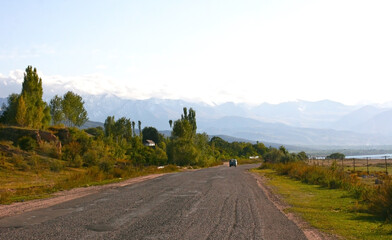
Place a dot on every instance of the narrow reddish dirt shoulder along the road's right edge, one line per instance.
(310, 232)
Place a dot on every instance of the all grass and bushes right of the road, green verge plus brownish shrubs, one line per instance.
(333, 197)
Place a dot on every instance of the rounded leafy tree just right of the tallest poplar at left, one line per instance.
(73, 108)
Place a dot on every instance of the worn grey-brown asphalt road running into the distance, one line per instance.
(213, 203)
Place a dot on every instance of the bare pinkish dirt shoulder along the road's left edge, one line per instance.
(63, 196)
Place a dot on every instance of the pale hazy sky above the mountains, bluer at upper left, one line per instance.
(213, 51)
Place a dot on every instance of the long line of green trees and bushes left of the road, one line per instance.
(120, 143)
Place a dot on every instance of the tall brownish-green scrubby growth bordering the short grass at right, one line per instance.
(377, 198)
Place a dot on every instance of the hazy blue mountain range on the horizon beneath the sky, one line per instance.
(301, 123)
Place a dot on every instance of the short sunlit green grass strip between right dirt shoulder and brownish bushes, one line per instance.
(331, 210)
